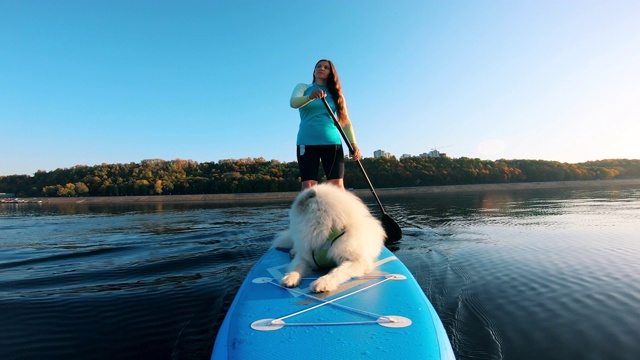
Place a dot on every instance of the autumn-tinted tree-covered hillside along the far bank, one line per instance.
(174, 177)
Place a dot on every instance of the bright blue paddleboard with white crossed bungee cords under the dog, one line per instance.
(383, 315)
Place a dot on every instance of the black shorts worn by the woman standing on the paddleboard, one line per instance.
(309, 157)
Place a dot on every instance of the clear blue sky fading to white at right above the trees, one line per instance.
(90, 82)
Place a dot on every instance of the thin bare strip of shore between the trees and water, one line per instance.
(289, 196)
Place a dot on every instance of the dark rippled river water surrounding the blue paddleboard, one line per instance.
(545, 274)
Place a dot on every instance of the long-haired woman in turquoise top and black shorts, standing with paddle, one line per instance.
(318, 138)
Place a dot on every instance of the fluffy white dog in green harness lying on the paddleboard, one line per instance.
(330, 227)
